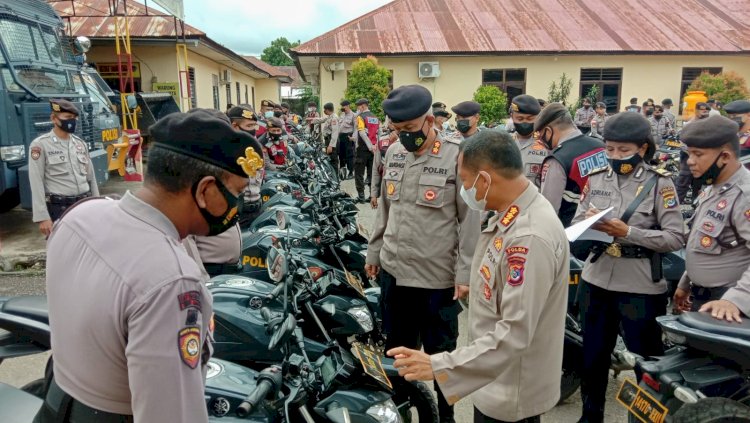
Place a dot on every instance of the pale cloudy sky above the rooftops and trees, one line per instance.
(249, 26)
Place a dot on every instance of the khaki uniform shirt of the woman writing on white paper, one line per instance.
(660, 207)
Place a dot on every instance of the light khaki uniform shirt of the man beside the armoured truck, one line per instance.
(60, 167)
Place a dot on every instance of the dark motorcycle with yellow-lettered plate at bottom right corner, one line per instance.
(704, 378)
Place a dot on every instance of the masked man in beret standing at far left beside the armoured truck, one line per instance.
(60, 169)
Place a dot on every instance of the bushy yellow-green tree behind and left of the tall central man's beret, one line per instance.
(367, 79)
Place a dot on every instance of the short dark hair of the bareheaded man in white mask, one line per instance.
(496, 149)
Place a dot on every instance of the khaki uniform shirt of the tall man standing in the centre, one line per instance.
(424, 233)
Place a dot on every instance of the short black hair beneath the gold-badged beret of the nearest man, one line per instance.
(175, 172)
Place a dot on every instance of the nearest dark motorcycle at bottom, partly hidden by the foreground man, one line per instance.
(333, 388)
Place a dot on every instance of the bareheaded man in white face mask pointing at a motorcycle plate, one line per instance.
(518, 294)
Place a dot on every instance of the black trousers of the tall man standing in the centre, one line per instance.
(416, 317)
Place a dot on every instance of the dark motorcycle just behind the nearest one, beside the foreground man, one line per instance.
(330, 312)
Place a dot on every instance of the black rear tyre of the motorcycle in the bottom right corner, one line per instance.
(713, 410)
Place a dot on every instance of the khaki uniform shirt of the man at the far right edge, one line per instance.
(709, 264)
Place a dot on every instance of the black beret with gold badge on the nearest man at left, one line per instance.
(204, 137)
